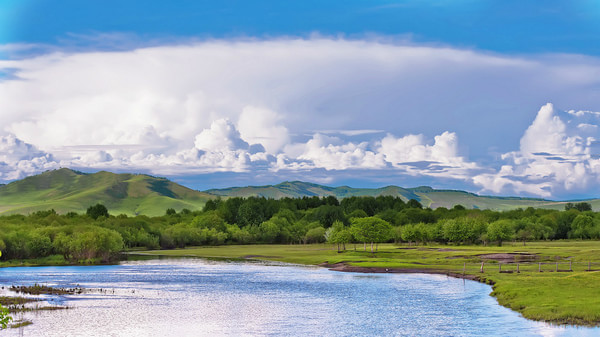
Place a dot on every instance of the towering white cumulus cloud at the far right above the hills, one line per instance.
(558, 153)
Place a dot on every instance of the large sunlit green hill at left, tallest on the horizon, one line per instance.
(66, 190)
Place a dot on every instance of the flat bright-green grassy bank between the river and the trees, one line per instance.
(570, 295)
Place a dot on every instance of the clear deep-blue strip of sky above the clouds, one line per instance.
(503, 26)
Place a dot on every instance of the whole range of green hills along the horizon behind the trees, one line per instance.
(66, 190)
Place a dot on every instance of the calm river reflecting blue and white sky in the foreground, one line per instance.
(195, 297)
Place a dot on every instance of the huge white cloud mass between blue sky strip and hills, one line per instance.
(258, 106)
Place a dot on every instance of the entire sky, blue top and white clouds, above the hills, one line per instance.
(492, 97)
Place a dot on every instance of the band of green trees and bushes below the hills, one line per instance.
(99, 236)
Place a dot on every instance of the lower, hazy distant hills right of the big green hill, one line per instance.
(428, 196)
